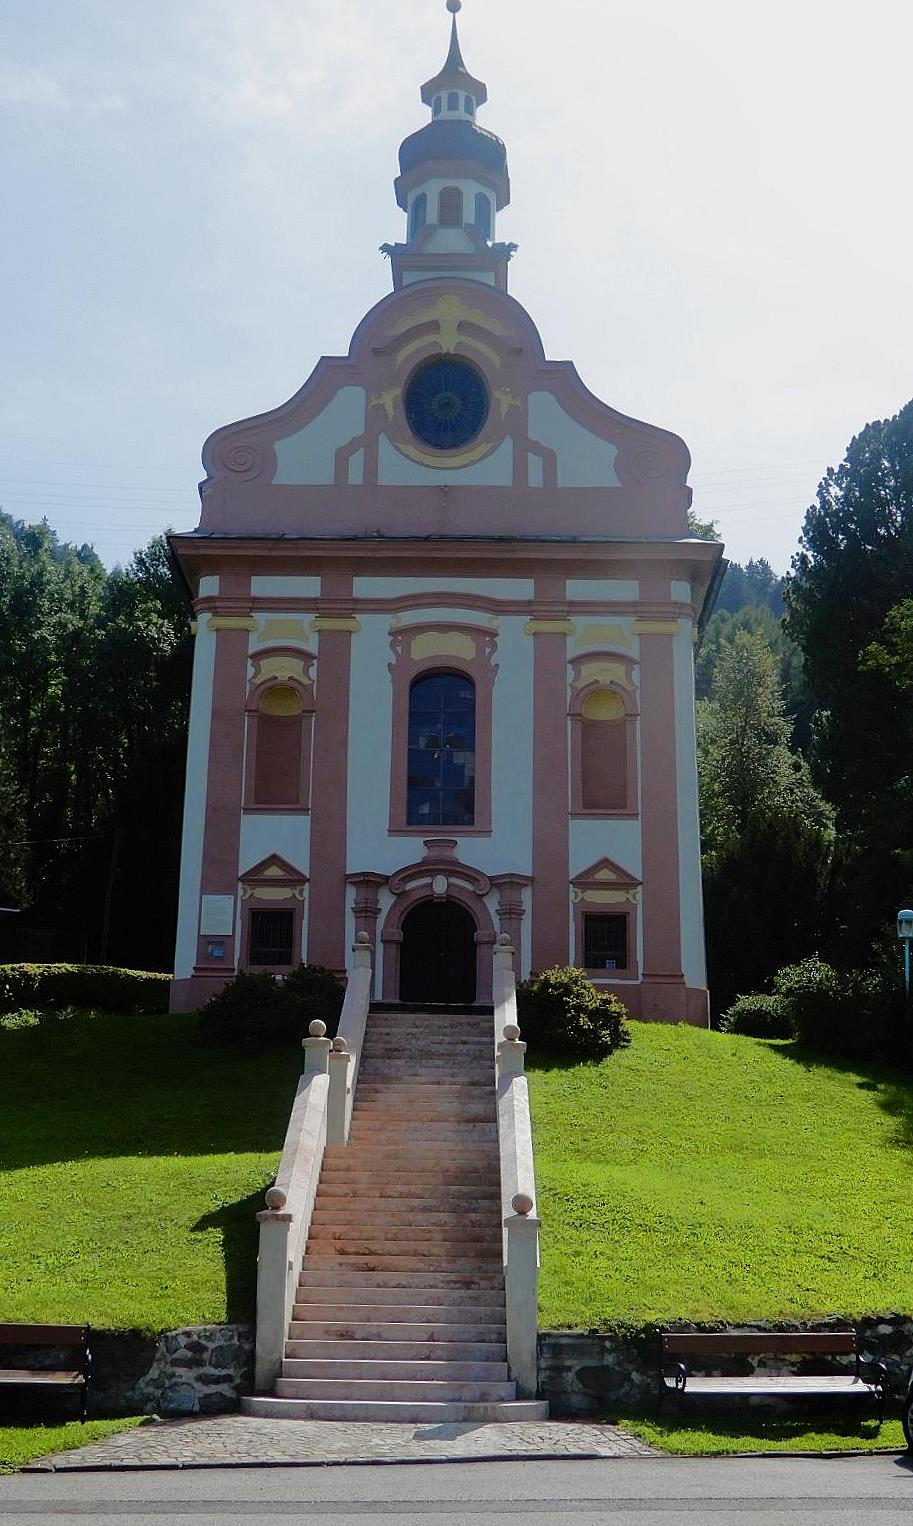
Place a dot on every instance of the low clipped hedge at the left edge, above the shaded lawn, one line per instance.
(102, 988)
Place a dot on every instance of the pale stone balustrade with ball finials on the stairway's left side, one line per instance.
(321, 1116)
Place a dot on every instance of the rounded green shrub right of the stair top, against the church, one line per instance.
(563, 1013)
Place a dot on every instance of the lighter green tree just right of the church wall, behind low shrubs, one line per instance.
(767, 832)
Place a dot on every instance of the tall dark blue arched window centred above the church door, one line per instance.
(440, 790)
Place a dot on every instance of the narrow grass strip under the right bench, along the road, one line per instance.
(721, 1435)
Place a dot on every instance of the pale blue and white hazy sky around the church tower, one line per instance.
(712, 205)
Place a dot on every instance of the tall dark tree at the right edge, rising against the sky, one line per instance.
(850, 581)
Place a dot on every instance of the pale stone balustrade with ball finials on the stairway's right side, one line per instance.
(518, 1180)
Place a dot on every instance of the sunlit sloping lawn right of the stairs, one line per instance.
(703, 1177)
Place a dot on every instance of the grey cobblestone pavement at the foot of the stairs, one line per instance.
(247, 1441)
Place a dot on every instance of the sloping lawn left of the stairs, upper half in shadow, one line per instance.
(135, 1157)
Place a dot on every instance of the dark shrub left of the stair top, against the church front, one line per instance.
(257, 1011)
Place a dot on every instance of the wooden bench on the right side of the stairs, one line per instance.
(680, 1347)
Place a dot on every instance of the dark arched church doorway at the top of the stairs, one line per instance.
(437, 955)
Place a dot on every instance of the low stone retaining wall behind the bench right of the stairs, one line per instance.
(584, 1374)
